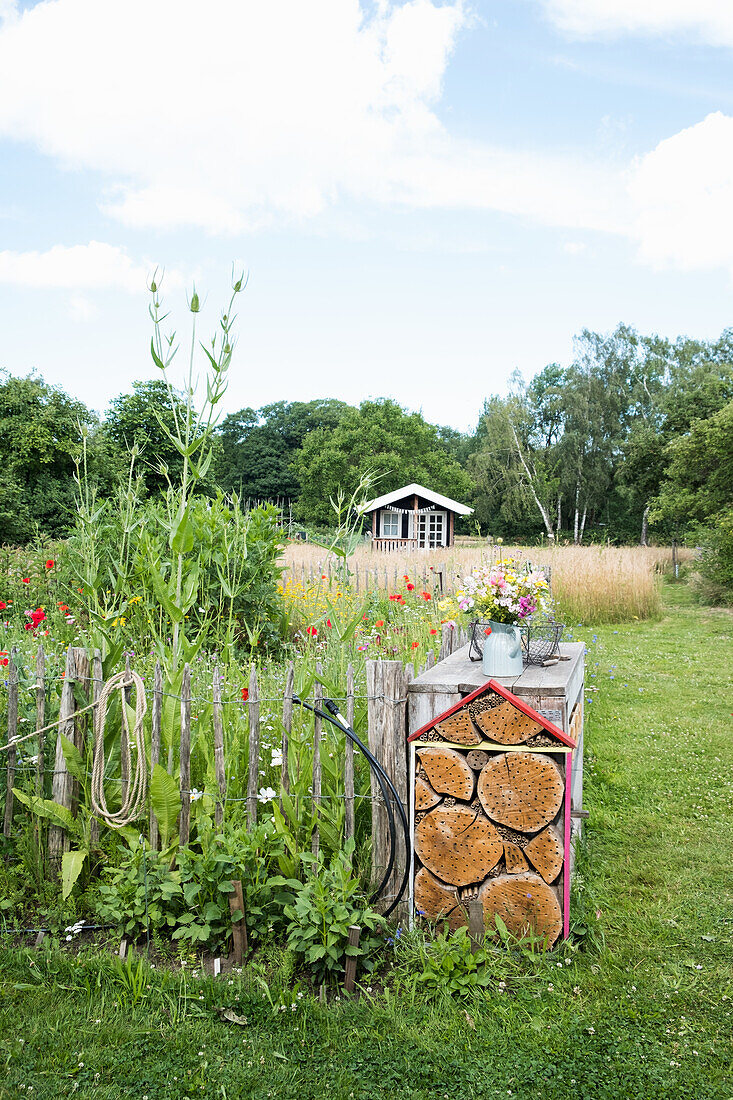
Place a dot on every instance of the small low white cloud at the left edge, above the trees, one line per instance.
(82, 267)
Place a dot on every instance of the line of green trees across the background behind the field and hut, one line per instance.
(631, 441)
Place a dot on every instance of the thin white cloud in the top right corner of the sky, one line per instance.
(708, 20)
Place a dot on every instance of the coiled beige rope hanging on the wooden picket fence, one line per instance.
(134, 800)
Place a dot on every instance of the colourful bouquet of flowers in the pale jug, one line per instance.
(506, 592)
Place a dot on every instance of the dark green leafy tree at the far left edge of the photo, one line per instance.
(40, 442)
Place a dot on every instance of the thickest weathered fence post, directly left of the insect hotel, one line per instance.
(387, 694)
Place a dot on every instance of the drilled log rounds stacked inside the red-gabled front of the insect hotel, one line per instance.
(489, 823)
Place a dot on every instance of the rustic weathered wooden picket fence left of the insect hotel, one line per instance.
(387, 697)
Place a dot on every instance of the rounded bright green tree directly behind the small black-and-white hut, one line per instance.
(380, 436)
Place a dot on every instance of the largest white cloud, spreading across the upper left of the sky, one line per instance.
(243, 114)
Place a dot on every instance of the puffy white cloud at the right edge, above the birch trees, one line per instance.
(683, 195)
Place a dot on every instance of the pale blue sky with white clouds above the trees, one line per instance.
(428, 196)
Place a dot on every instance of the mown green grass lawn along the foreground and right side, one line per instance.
(647, 1016)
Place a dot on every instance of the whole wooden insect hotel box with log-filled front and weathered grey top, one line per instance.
(495, 805)
